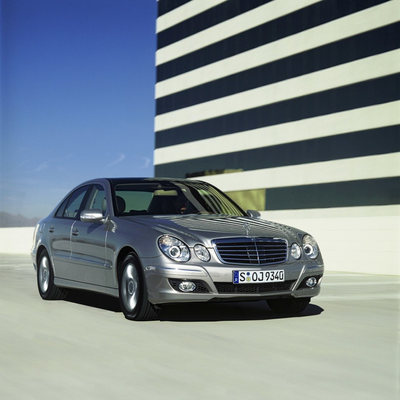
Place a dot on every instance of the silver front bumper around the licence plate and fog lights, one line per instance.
(215, 282)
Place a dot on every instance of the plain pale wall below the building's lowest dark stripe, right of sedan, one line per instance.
(358, 239)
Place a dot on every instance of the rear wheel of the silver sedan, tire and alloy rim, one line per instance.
(45, 280)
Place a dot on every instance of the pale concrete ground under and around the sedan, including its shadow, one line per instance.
(344, 346)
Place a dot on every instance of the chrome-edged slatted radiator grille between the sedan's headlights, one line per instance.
(253, 251)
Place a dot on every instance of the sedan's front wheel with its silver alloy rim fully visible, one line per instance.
(133, 291)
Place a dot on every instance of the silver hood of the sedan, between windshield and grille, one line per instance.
(205, 228)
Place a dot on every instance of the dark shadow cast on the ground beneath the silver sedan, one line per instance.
(195, 312)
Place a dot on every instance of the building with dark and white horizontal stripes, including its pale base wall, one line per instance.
(292, 108)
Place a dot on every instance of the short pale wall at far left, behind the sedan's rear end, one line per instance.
(16, 240)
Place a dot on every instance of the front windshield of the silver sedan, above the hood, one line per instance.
(176, 198)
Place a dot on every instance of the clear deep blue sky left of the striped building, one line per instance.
(77, 96)
